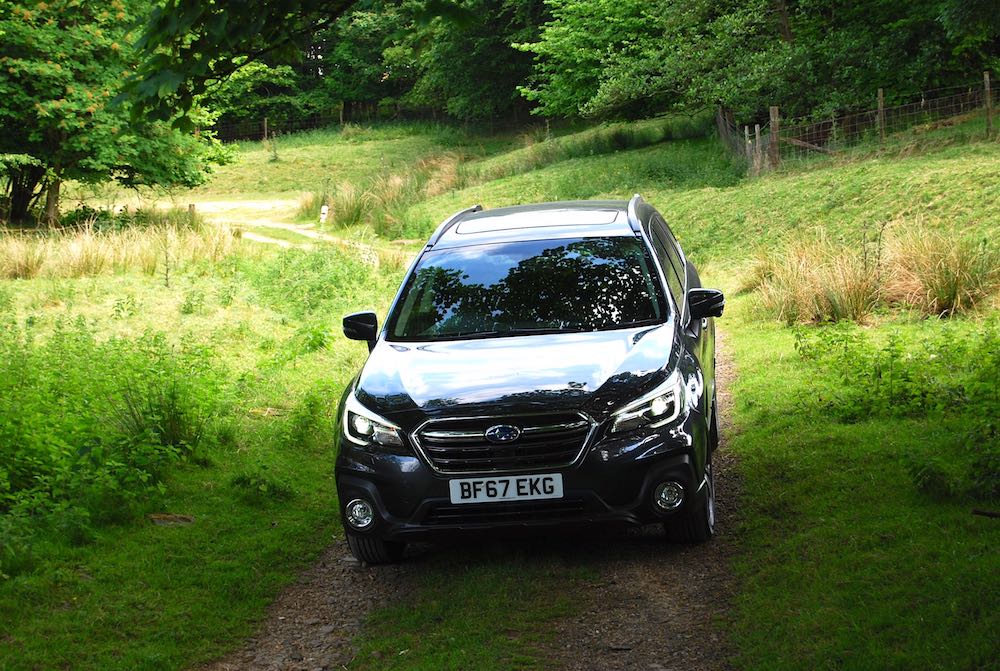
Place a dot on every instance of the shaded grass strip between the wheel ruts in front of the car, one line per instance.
(474, 611)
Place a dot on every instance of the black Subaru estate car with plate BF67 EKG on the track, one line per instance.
(541, 366)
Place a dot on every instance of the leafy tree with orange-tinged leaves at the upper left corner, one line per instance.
(62, 63)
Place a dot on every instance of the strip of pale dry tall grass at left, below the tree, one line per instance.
(86, 251)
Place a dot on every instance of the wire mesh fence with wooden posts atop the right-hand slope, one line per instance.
(767, 147)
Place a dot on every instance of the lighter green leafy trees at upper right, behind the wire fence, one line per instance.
(813, 59)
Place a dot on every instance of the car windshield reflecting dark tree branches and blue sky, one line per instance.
(529, 287)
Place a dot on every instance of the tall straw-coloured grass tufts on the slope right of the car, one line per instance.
(935, 273)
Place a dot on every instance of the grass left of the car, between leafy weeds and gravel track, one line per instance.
(144, 596)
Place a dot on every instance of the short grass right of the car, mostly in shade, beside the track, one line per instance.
(843, 563)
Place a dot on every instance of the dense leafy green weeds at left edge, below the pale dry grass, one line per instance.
(88, 426)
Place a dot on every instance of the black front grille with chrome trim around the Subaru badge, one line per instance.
(545, 441)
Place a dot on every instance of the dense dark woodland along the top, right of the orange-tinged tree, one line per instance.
(470, 59)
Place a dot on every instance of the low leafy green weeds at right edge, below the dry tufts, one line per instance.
(949, 372)
